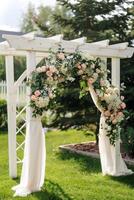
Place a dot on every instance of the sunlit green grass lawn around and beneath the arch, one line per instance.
(68, 176)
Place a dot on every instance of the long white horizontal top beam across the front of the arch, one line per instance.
(94, 49)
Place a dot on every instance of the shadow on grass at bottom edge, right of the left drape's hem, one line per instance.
(51, 191)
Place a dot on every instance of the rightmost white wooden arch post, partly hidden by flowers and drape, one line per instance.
(116, 82)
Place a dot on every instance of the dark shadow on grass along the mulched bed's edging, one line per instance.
(88, 164)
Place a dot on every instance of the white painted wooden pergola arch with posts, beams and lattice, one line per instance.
(36, 48)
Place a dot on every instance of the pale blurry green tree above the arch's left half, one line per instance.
(42, 20)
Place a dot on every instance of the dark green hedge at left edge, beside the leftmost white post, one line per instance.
(3, 114)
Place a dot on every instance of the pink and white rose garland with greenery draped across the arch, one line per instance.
(60, 68)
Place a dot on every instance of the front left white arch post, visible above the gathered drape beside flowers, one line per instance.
(31, 64)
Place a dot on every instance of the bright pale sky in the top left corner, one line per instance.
(11, 12)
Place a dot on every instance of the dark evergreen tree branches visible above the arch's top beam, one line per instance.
(98, 20)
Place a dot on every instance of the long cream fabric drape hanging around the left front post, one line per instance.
(33, 169)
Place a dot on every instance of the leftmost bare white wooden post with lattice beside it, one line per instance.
(11, 102)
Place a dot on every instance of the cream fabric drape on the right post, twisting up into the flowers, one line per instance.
(109, 164)
